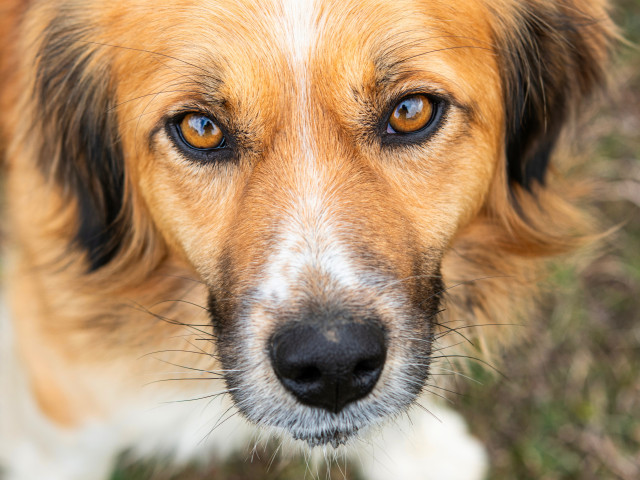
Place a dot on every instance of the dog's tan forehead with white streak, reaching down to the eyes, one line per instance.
(256, 60)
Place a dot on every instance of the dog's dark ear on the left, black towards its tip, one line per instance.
(80, 146)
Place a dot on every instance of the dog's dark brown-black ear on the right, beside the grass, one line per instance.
(553, 55)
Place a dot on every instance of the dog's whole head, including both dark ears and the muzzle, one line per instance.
(313, 162)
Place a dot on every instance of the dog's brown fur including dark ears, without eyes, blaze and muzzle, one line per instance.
(84, 158)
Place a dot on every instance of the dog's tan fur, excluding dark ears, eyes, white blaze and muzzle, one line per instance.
(85, 337)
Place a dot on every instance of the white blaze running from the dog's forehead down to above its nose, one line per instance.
(307, 234)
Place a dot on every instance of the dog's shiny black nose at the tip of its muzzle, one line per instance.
(329, 366)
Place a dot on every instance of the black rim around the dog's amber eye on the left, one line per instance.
(221, 152)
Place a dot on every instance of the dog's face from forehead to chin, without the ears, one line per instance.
(269, 159)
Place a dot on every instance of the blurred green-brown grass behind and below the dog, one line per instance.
(570, 405)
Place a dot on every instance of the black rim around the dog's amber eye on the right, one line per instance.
(440, 107)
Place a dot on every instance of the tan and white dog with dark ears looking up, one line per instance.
(279, 216)
